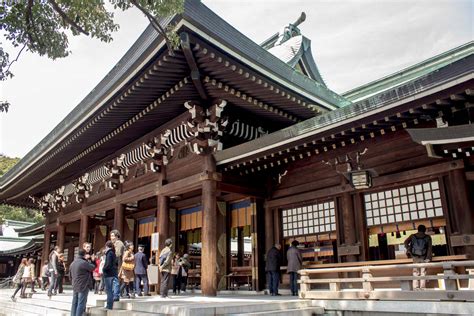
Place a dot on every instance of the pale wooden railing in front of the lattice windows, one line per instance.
(385, 282)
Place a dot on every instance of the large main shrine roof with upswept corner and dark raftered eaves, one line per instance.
(147, 88)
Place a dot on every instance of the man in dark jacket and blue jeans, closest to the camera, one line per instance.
(80, 273)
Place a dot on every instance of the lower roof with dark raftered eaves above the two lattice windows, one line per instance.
(403, 106)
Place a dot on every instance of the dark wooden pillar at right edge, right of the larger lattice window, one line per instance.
(461, 210)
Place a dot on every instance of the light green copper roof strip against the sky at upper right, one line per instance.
(409, 73)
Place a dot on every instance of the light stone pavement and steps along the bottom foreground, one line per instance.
(188, 304)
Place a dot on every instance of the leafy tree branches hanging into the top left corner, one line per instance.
(41, 26)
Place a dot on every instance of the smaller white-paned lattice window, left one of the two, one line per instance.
(309, 220)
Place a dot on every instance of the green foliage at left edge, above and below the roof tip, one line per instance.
(10, 212)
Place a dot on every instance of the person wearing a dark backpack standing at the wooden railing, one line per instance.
(418, 246)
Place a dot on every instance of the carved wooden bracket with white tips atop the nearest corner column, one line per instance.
(207, 126)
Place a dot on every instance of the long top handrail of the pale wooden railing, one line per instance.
(446, 264)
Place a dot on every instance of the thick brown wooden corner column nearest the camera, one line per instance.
(209, 231)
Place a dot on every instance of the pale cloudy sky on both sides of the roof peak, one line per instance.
(353, 43)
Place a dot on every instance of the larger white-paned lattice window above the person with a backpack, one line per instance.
(403, 204)
